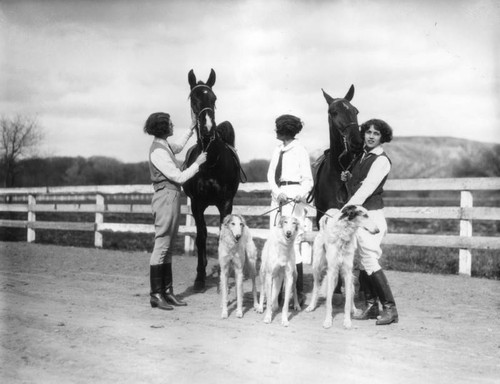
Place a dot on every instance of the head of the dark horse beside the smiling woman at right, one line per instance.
(343, 120)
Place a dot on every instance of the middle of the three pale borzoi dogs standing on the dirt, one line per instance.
(278, 265)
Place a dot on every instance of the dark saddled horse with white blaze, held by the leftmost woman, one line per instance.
(218, 179)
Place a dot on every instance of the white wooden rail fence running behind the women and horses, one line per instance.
(31, 201)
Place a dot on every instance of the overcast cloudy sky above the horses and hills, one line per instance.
(93, 71)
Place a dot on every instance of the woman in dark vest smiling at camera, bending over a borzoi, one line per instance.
(366, 183)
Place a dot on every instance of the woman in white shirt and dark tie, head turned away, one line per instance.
(290, 179)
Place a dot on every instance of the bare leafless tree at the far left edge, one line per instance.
(20, 138)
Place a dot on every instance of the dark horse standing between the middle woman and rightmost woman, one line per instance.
(345, 144)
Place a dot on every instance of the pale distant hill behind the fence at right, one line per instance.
(439, 157)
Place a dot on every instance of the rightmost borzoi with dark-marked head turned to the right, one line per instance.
(333, 250)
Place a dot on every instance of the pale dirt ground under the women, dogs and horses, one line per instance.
(77, 315)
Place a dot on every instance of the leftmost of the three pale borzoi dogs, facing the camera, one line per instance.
(236, 249)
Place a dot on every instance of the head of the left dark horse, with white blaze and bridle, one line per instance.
(203, 102)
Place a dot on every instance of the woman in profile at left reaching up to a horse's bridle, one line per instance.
(167, 179)
